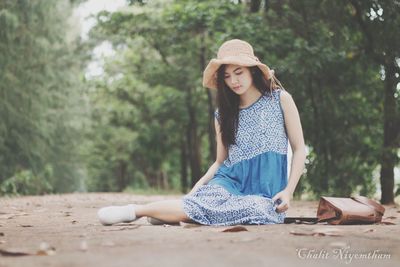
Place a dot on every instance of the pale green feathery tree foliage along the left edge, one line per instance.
(40, 85)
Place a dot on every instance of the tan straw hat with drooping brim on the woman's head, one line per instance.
(235, 52)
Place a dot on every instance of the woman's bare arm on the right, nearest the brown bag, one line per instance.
(296, 140)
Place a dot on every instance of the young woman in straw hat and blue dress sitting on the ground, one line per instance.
(248, 183)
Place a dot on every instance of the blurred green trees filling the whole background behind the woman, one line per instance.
(107, 96)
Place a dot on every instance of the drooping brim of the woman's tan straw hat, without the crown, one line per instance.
(209, 74)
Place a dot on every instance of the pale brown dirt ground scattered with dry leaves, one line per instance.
(62, 230)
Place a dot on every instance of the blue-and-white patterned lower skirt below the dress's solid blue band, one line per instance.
(214, 205)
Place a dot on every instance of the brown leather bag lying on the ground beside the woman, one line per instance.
(354, 210)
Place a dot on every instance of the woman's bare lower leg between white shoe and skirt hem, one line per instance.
(170, 211)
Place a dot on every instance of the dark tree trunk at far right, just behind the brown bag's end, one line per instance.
(390, 133)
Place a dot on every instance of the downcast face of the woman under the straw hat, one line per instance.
(238, 78)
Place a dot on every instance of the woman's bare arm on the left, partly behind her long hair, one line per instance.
(221, 156)
